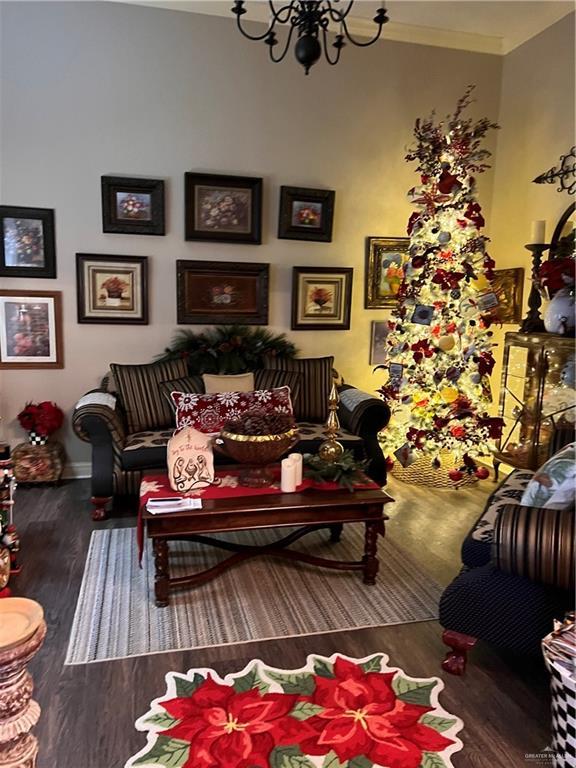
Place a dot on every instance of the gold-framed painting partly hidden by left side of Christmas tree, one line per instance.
(386, 258)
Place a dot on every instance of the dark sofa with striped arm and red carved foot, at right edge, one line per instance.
(517, 576)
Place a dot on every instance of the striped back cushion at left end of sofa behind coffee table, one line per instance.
(139, 391)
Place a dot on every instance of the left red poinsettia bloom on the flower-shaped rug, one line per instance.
(232, 730)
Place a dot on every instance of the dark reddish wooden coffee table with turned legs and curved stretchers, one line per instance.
(310, 509)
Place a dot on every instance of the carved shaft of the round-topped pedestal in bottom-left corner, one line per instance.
(18, 712)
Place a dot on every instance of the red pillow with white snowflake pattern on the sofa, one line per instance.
(209, 413)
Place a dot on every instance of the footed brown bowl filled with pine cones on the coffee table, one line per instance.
(258, 440)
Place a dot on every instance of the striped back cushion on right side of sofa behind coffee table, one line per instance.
(316, 372)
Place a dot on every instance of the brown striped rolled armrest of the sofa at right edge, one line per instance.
(536, 543)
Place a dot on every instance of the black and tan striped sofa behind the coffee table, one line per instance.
(128, 420)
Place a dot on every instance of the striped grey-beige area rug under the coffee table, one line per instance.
(262, 598)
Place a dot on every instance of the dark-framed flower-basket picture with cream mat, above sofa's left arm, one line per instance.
(112, 289)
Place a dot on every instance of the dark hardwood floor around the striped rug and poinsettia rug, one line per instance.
(88, 711)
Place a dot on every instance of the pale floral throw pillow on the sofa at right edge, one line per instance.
(554, 484)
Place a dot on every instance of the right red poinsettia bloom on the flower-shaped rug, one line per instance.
(363, 716)
